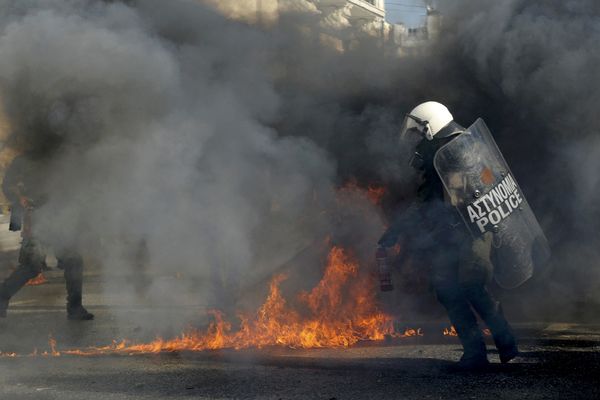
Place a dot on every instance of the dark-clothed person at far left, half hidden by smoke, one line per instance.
(24, 188)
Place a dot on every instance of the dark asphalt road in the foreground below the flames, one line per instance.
(552, 368)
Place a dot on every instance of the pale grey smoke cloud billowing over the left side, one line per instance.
(155, 121)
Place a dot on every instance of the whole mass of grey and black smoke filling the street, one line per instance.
(219, 145)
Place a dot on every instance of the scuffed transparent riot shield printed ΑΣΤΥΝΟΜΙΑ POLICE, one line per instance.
(481, 186)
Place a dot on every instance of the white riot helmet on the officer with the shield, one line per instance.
(427, 119)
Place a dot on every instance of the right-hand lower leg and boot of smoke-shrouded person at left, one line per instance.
(73, 266)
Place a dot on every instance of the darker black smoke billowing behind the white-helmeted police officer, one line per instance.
(530, 70)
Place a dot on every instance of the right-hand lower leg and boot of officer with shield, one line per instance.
(491, 312)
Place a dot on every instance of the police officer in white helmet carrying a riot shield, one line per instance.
(459, 249)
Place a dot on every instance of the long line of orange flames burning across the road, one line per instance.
(339, 311)
